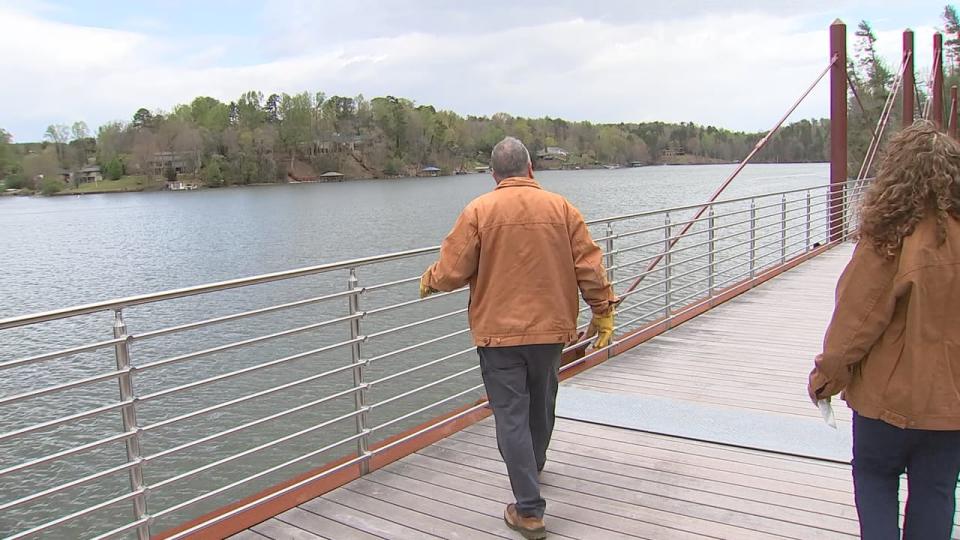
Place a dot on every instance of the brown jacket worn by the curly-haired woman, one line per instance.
(893, 346)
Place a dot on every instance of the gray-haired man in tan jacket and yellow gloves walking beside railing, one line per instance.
(524, 252)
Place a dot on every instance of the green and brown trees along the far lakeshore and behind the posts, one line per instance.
(278, 137)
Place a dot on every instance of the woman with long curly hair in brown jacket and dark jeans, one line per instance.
(893, 345)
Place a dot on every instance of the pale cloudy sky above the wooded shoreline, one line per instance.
(736, 64)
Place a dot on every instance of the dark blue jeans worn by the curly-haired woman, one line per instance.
(931, 459)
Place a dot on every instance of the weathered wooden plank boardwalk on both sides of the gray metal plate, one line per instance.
(602, 481)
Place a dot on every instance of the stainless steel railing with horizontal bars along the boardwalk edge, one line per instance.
(219, 407)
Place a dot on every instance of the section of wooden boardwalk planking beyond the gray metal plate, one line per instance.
(759, 346)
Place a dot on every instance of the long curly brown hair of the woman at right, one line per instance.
(919, 176)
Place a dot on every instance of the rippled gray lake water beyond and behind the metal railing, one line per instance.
(63, 251)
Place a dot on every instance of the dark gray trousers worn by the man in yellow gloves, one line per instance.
(521, 384)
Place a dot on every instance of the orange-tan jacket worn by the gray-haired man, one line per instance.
(524, 252)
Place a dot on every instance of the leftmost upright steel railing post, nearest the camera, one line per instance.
(128, 415)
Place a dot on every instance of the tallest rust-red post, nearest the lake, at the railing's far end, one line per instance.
(838, 127)
